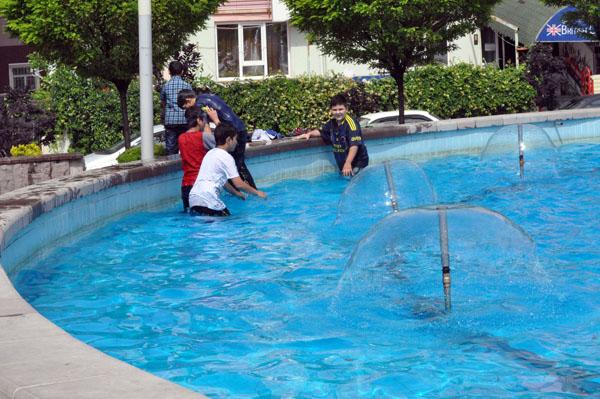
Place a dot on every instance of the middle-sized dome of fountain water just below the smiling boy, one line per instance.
(379, 190)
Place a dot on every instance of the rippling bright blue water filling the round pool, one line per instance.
(256, 305)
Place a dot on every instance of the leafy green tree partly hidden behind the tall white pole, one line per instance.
(99, 38)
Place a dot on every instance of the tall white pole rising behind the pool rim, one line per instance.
(146, 108)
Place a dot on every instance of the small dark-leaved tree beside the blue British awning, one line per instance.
(546, 74)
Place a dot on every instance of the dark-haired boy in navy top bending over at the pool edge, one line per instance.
(187, 99)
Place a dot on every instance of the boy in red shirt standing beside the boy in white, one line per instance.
(193, 145)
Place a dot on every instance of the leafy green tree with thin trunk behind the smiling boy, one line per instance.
(392, 35)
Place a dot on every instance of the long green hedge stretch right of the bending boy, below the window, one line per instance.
(447, 92)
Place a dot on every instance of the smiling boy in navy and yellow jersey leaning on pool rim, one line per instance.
(343, 133)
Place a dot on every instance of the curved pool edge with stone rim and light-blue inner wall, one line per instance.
(39, 360)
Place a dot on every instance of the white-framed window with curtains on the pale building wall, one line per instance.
(252, 50)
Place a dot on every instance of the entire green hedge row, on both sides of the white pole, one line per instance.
(88, 109)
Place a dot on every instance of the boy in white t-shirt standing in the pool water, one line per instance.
(218, 168)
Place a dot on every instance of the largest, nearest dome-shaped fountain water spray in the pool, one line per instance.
(392, 271)
